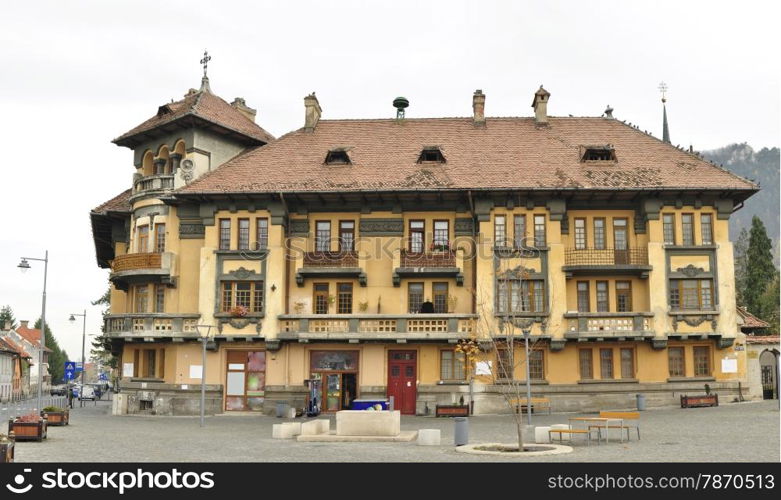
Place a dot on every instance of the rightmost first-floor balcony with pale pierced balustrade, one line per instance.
(609, 326)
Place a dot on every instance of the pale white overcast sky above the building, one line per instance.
(75, 75)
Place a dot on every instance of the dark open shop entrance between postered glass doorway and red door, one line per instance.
(338, 373)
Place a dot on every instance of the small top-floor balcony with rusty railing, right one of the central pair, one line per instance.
(436, 264)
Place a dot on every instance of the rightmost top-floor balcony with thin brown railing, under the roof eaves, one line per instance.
(606, 261)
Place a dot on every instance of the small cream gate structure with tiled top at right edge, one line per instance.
(762, 353)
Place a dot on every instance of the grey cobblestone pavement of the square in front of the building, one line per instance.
(744, 432)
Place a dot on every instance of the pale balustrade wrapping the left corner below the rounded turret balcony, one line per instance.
(151, 325)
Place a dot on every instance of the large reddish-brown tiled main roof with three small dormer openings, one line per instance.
(508, 153)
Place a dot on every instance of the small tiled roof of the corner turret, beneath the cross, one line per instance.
(205, 105)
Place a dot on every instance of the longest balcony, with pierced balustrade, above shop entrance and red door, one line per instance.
(358, 327)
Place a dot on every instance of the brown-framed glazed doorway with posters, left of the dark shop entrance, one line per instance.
(245, 380)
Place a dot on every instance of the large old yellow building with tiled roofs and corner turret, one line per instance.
(358, 253)
